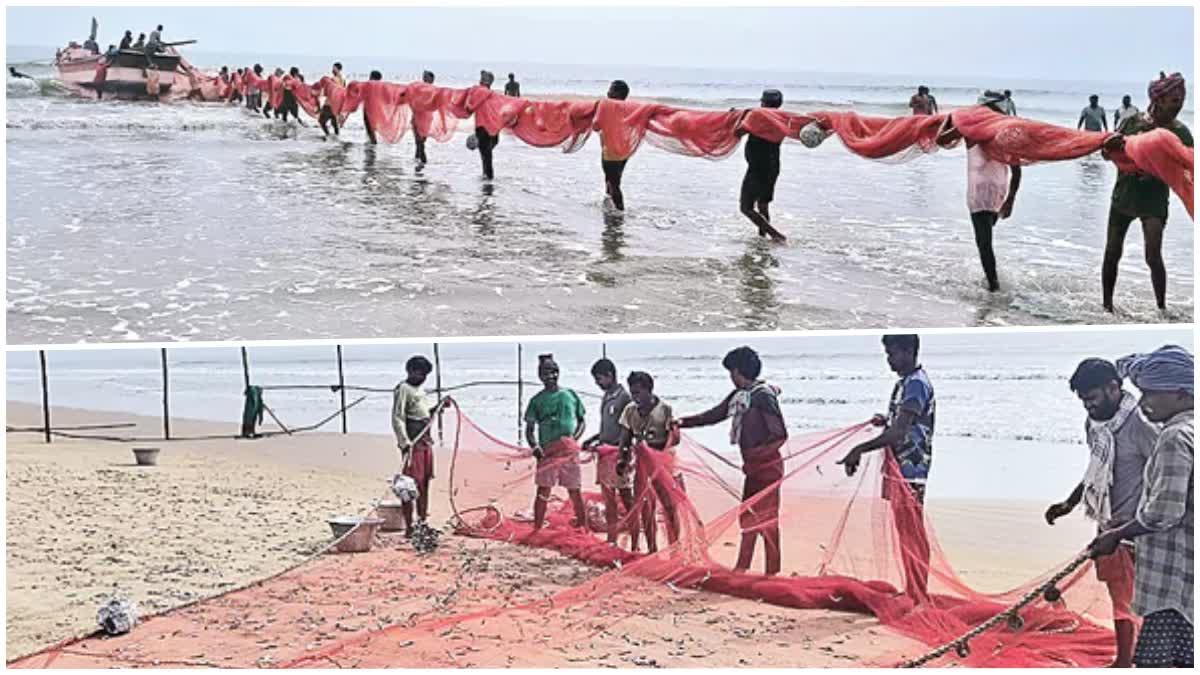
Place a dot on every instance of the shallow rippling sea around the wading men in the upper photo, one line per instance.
(135, 222)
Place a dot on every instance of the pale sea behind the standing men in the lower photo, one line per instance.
(1009, 426)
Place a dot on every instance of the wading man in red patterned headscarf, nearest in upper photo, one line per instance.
(1139, 196)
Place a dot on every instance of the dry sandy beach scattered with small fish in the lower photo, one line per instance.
(218, 515)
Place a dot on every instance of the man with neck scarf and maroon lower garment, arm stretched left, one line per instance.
(760, 433)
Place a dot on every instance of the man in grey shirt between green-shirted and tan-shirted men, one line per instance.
(613, 407)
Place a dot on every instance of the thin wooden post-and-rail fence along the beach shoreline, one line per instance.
(259, 393)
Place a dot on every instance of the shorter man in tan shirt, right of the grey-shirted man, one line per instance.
(647, 426)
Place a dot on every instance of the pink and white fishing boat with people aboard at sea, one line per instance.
(128, 75)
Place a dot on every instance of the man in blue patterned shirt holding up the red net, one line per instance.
(909, 435)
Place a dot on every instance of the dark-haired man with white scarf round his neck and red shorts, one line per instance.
(1120, 443)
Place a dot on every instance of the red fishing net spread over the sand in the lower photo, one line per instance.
(857, 545)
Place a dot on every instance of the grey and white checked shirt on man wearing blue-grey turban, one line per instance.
(1166, 563)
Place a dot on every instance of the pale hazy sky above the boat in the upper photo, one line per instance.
(1053, 44)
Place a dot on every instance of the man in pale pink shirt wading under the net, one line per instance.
(992, 189)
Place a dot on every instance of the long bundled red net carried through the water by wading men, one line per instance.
(392, 109)
